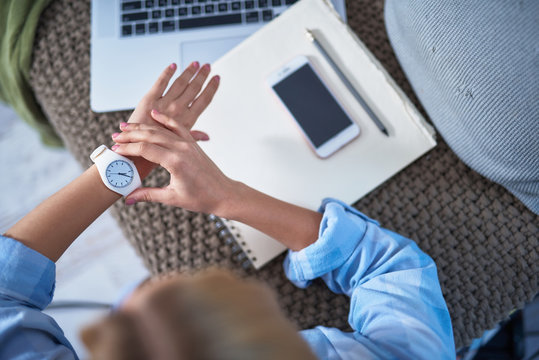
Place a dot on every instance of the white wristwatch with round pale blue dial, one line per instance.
(117, 172)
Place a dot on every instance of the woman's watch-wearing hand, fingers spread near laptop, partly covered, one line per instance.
(180, 103)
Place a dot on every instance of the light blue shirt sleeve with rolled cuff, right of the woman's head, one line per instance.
(396, 305)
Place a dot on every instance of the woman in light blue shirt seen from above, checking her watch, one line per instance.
(397, 309)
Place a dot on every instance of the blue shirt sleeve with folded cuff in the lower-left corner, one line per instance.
(27, 280)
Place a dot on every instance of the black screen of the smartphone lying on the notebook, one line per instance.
(312, 105)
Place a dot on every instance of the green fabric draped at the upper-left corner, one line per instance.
(18, 23)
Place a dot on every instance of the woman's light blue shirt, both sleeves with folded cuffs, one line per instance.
(397, 310)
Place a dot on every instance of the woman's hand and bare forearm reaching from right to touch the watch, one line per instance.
(197, 184)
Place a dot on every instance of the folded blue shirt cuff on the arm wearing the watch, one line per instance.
(26, 276)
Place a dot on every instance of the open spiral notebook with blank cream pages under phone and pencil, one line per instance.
(253, 140)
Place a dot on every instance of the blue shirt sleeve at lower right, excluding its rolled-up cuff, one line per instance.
(401, 291)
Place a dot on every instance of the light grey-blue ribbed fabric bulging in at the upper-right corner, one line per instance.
(474, 66)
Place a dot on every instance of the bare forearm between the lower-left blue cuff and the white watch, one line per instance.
(53, 225)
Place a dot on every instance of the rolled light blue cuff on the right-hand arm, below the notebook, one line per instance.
(341, 230)
